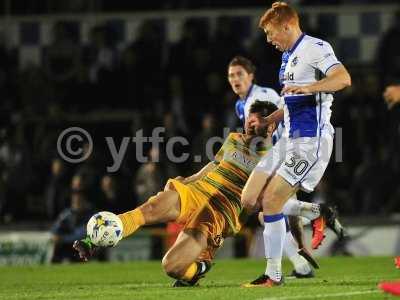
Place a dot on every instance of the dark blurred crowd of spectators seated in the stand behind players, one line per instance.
(183, 87)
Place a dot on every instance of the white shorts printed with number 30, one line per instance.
(301, 161)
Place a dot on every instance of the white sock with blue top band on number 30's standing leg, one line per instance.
(274, 238)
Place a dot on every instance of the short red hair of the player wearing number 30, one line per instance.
(279, 13)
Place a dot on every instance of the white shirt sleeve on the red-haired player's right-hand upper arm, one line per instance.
(322, 56)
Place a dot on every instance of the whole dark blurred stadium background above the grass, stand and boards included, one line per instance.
(114, 69)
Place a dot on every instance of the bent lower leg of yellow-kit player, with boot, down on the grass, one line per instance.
(180, 261)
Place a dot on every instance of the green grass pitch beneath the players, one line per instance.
(338, 278)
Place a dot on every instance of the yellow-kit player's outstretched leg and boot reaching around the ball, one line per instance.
(163, 207)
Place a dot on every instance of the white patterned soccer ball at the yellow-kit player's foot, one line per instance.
(104, 229)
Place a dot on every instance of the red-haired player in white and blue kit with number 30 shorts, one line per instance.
(299, 159)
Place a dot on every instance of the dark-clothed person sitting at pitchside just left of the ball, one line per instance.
(69, 226)
